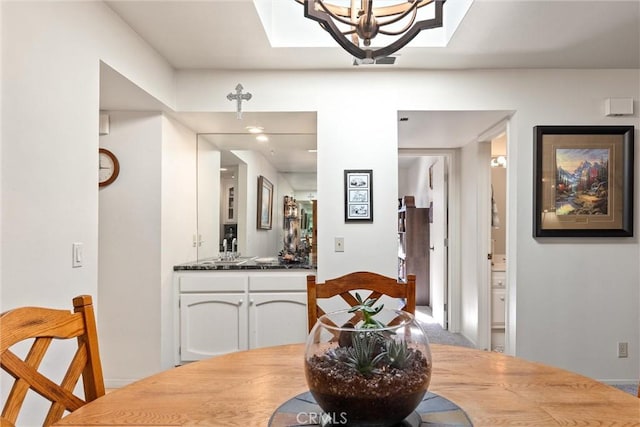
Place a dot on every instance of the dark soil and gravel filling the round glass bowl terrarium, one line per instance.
(384, 397)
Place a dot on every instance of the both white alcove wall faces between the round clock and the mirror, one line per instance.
(147, 218)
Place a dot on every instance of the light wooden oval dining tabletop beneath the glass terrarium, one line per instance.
(245, 388)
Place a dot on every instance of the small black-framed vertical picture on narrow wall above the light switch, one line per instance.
(358, 195)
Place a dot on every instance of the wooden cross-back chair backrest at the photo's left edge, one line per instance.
(45, 324)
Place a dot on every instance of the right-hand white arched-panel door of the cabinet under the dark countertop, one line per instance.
(277, 318)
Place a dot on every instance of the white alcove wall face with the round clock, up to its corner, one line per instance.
(129, 249)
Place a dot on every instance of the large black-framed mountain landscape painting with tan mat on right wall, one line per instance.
(583, 181)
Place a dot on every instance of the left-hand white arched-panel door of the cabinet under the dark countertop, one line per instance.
(212, 324)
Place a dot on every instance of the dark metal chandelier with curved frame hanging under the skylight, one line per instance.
(364, 22)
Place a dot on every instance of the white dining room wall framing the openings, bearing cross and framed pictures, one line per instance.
(568, 313)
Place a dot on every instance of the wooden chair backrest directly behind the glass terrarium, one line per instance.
(378, 285)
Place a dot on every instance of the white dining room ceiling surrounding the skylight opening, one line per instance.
(228, 34)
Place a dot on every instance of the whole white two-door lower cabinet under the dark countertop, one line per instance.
(223, 312)
